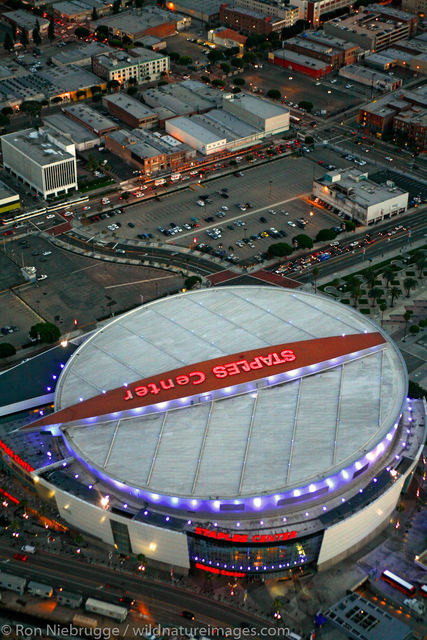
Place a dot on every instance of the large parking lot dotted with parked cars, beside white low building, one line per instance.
(278, 186)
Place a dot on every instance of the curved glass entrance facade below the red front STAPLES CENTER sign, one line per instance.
(255, 558)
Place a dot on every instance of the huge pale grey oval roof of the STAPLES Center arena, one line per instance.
(264, 439)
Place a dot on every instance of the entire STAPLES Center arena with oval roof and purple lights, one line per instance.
(238, 430)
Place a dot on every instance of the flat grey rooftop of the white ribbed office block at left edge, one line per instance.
(36, 145)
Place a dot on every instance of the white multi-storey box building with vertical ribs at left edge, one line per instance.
(42, 159)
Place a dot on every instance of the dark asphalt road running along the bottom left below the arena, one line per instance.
(158, 602)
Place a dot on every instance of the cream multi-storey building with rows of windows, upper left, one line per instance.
(142, 65)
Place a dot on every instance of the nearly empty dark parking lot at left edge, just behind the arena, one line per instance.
(76, 287)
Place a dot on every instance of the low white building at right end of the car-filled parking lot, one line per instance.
(350, 191)
